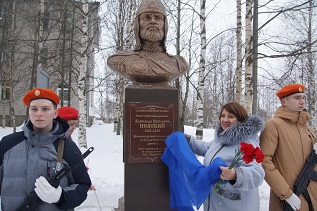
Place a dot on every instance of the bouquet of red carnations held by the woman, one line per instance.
(247, 153)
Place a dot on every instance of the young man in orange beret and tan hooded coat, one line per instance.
(286, 142)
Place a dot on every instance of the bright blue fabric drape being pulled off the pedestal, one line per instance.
(189, 180)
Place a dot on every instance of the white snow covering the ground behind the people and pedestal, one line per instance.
(106, 167)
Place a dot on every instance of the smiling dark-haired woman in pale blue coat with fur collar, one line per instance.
(241, 191)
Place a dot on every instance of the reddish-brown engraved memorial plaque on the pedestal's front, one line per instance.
(149, 125)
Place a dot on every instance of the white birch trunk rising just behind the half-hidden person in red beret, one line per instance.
(82, 141)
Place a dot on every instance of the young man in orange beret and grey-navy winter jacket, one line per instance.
(28, 157)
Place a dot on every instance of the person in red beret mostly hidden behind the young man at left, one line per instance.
(70, 114)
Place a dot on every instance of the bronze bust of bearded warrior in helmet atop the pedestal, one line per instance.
(149, 63)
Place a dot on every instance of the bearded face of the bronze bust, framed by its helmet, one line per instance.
(151, 27)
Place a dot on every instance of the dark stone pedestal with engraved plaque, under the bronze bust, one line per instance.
(150, 115)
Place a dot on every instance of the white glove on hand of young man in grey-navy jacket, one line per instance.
(46, 192)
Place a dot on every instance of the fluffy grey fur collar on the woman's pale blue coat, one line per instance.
(239, 132)
